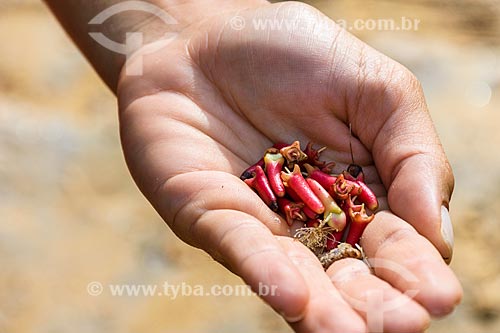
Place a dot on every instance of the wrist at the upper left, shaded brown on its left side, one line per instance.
(119, 33)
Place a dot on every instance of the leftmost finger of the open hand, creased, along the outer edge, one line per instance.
(220, 214)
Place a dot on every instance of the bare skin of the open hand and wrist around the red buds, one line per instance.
(210, 103)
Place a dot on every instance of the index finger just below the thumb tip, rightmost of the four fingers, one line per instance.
(410, 263)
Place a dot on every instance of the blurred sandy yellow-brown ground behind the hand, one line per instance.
(70, 214)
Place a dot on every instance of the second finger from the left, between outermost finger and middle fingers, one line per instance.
(326, 311)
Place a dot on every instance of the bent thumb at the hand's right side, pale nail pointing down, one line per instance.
(407, 151)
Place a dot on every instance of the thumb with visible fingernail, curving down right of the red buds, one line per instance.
(413, 166)
